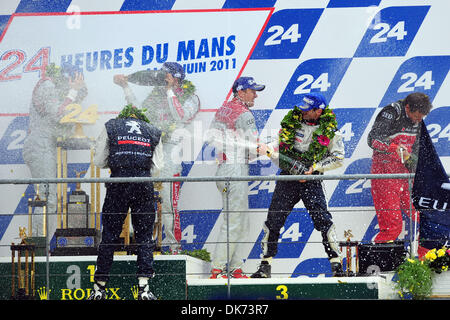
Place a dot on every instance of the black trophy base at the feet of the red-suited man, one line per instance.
(378, 257)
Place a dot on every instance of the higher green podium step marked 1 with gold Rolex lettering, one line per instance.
(71, 277)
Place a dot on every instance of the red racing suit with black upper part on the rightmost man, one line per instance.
(392, 127)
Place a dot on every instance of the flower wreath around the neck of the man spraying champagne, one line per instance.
(321, 137)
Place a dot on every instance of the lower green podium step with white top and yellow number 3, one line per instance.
(373, 287)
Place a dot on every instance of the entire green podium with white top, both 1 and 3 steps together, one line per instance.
(182, 277)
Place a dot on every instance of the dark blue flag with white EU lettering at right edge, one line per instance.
(431, 195)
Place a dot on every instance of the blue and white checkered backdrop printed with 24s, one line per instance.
(360, 54)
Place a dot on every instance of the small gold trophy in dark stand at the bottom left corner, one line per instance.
(22, 279)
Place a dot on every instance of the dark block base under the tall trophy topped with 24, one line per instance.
(76, 241)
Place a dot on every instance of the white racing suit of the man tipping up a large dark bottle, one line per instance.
(165, 111)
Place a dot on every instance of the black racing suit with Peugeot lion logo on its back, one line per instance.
(131, 144)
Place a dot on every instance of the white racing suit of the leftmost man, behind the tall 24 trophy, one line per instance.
(39, 150)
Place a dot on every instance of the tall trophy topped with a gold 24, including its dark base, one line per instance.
(77, 233)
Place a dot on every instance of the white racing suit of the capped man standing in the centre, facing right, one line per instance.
(234, 134)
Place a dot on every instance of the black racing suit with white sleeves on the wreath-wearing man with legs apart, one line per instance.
(288, 193)
